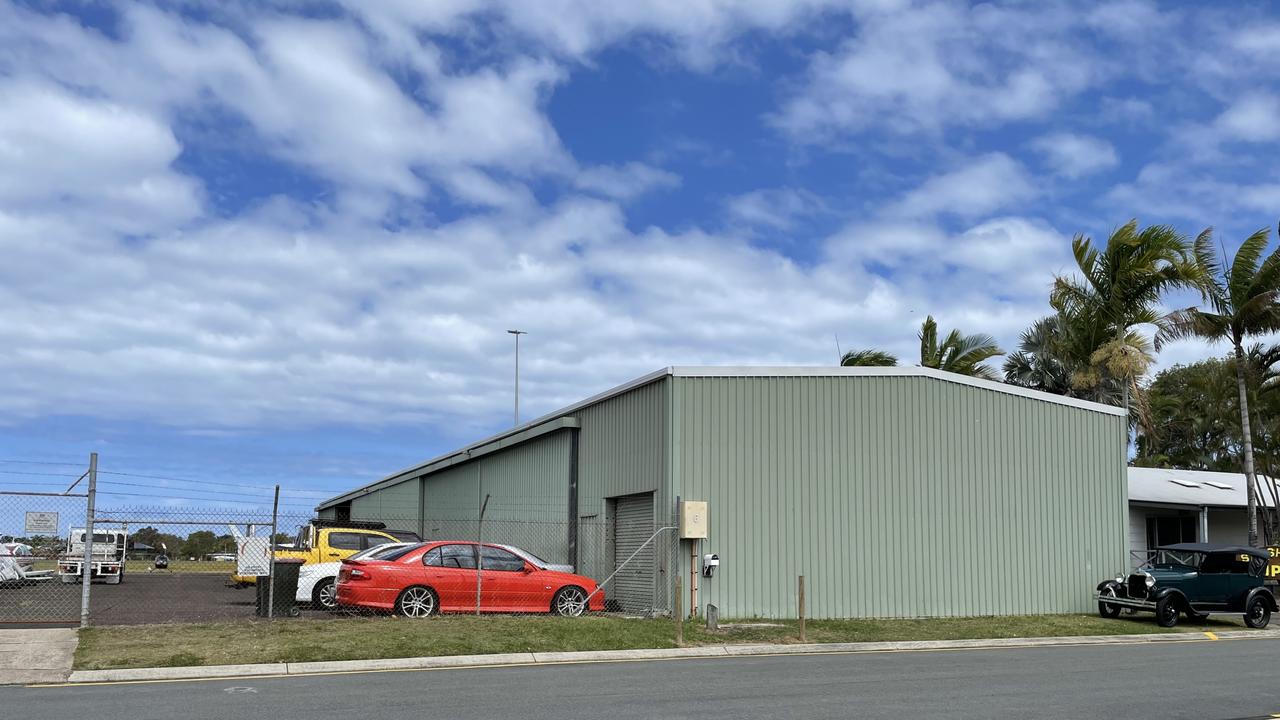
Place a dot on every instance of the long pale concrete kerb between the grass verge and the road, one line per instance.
(285, 669)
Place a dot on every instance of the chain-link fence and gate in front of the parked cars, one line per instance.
(194, 564)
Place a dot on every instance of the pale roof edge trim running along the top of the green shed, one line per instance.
(532, 429)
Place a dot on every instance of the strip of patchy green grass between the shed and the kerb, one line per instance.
(367, 639)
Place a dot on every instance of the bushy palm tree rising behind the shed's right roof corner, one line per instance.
(1121, 288)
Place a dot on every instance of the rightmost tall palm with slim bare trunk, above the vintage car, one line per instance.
(1242, 300)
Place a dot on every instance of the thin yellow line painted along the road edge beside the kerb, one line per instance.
(561, 663)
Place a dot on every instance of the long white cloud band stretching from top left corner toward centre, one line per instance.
(316, 93)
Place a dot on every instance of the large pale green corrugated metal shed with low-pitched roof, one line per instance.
(898, 493)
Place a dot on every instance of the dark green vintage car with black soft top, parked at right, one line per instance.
(1195, 580)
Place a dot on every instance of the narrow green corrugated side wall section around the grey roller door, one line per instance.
(623, 450)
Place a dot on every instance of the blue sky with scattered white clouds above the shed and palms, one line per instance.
(258, 243)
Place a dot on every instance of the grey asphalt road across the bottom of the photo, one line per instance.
(1203, 681)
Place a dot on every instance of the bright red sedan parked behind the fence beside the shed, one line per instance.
(441, 577)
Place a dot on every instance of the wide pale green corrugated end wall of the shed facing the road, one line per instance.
(899, 496)
